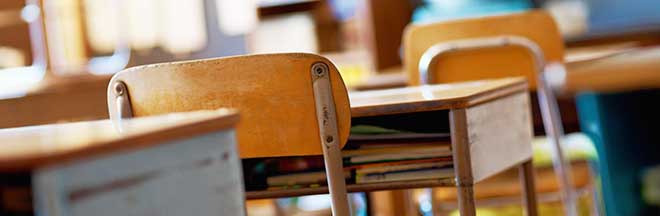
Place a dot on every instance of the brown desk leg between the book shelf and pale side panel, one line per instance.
(462, 162)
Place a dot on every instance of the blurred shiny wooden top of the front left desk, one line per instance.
(30, 147)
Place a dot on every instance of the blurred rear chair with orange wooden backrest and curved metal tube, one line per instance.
(520, 44)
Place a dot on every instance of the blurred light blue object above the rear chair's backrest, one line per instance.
(438, 10)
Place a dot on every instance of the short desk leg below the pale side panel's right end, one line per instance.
(526, 173)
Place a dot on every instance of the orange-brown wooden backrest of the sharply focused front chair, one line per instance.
(274, 94)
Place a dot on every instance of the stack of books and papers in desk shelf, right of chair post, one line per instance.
(385, 155)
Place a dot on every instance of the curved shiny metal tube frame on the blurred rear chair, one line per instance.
(547, 101)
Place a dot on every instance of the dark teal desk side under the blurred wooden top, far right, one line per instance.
(625, 130)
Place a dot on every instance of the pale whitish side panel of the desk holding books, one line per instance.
(500, 134)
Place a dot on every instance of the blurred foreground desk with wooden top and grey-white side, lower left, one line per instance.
(177, 164)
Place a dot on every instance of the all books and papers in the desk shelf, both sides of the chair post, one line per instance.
(371, 155)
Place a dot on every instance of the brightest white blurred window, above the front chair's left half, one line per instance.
(176, 26)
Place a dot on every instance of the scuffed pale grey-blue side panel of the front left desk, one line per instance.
(198, 176)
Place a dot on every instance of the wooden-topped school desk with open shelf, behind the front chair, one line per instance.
(490, 126)
